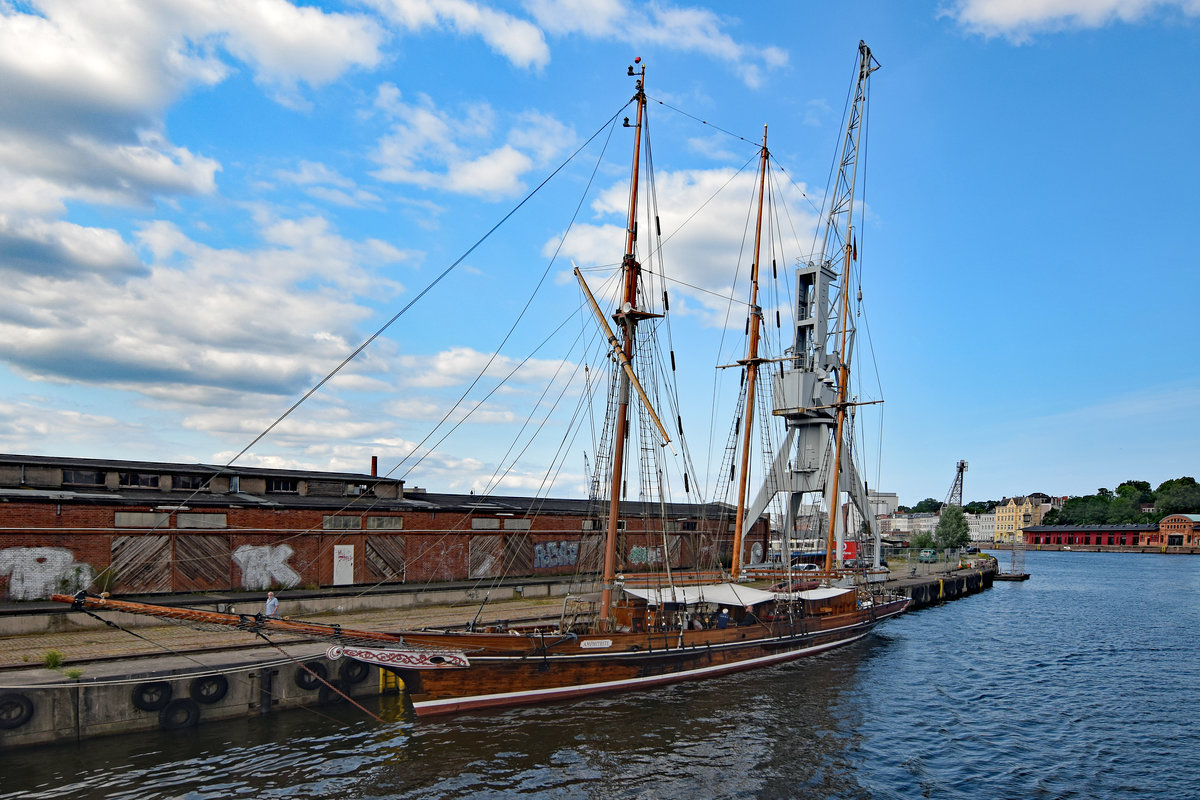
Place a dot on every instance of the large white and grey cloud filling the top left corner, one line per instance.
(86, 86)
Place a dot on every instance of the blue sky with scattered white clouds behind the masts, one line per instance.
(208, 204)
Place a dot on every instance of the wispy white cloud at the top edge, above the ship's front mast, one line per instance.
(658, 26)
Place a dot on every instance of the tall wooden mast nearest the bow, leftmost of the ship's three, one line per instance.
(627, 318)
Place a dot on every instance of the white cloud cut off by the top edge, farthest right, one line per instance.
(1018, 20)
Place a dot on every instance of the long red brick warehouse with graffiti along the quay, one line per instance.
(148, 527)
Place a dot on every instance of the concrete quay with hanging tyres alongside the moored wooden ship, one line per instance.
(153, 676)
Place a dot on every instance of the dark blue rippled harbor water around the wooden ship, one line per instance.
(1079, 683)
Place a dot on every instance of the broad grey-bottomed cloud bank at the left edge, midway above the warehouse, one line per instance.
(268, 321)
